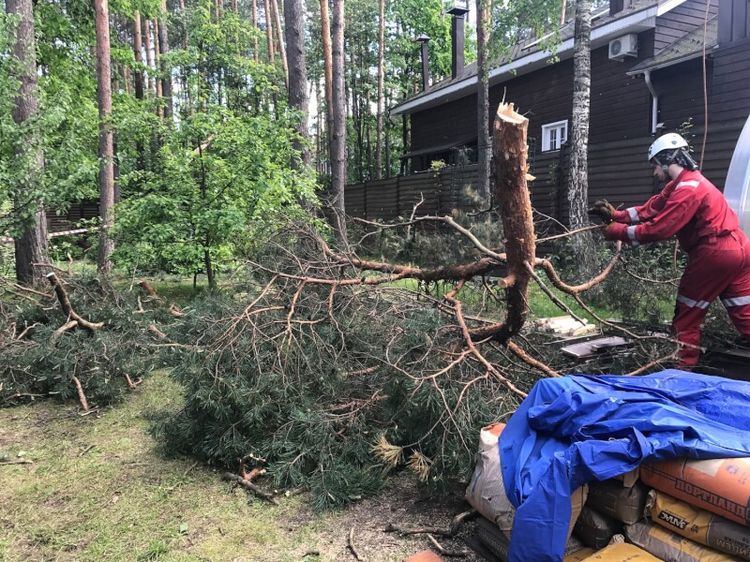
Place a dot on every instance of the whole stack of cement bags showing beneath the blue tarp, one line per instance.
(675, 511)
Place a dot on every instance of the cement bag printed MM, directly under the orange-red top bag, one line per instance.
(698, 525)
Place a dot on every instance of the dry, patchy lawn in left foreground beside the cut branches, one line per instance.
(121, 500)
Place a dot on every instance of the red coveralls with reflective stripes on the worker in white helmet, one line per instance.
(718, 252)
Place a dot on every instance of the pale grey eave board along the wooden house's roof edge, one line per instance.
(636, 22)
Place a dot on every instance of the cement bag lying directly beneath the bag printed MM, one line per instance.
(670, 547)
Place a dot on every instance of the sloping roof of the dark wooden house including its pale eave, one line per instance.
(529, 56)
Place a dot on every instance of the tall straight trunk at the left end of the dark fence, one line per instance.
(338, 136)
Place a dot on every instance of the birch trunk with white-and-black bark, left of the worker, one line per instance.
(579, 137)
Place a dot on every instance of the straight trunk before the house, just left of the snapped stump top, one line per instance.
(484, 146)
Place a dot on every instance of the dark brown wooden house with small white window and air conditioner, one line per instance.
(647, 78)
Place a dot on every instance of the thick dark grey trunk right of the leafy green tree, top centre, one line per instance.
(295, 42)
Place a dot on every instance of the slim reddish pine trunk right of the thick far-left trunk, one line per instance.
(106, 168)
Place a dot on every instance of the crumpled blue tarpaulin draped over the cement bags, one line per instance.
(577, 429)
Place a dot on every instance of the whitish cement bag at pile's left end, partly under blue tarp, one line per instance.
(486, 491)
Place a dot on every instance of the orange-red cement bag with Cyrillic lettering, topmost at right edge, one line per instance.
(721, 486)
